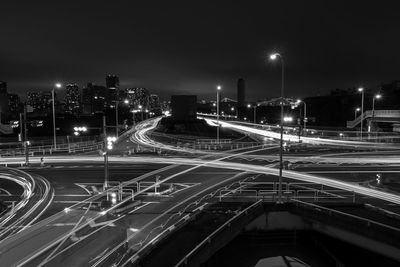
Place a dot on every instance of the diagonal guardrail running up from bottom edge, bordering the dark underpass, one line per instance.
(207, 240)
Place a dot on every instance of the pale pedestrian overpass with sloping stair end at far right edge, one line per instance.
(389, 116)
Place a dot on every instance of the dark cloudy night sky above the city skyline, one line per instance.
(188, 47)
